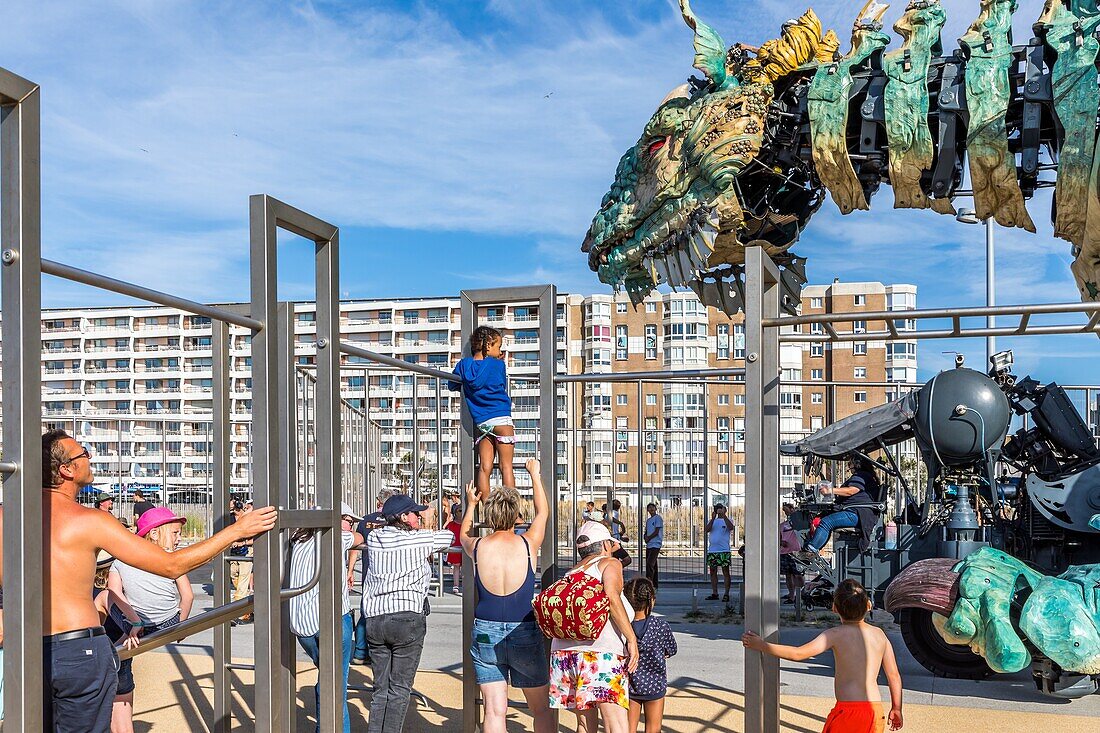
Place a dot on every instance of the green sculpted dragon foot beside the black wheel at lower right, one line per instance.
(1059, 616)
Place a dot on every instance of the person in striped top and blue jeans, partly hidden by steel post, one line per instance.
(305, 609)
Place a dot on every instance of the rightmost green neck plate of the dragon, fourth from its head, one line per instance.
(1071, 35)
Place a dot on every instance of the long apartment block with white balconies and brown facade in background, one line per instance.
(136, 384)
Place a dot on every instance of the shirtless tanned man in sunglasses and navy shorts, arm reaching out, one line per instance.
(80, 663)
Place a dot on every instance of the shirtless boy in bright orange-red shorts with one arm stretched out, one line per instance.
(860, 651)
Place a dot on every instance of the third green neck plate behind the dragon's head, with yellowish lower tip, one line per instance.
(993, 168)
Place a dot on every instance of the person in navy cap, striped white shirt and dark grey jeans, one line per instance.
(395, 600)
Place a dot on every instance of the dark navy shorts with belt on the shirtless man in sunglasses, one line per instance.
(82, 679)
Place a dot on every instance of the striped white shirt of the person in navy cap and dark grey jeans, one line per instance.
(398, 570)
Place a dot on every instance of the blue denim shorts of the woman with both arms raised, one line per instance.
(503, 650)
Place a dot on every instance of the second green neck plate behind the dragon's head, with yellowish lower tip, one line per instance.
(907, 105)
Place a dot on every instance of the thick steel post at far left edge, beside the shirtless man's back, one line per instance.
(20, 232)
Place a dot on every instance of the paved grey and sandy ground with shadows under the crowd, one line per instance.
(708, 676)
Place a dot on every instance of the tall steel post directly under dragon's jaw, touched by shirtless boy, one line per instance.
(762, 490)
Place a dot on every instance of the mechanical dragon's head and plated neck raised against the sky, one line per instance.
(744, 157)
